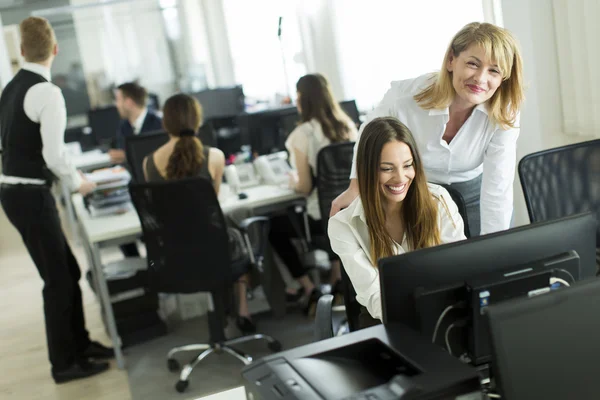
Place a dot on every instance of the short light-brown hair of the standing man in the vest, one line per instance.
(37, 39)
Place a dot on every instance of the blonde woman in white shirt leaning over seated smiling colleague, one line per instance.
(465, 120)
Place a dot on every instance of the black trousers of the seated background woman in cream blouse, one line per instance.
(282, 230)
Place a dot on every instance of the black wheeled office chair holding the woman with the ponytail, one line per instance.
(188, 250)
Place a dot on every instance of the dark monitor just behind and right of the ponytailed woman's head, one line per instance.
(221, 102)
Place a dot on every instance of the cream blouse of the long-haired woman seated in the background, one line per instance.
(308, 138)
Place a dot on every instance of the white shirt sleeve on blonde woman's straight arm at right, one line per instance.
(499, 162)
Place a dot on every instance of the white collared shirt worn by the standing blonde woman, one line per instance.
(479, 147)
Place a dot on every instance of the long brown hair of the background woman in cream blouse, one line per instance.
(316, 101)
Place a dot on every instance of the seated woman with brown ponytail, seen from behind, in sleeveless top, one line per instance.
(184, 156)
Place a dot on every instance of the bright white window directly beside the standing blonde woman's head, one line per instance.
(385, 40)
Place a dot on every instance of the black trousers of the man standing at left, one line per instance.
(32, 210)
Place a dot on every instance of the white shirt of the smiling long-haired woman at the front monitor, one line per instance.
(349, 236)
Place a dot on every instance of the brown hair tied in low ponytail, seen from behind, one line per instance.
(182, 116)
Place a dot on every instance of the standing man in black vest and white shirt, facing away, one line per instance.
(32, 126)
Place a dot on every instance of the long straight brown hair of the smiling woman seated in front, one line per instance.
(419, 209)
